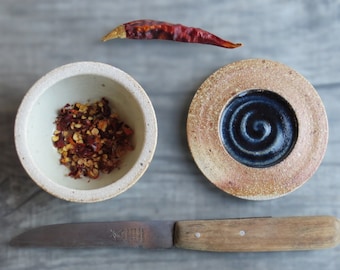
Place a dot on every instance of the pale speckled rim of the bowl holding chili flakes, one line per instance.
(71, 70)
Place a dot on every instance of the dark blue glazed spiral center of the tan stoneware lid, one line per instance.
(258, 128)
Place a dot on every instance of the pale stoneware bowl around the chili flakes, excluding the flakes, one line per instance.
(83, 82)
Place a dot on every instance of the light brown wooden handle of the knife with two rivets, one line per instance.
(258, 234)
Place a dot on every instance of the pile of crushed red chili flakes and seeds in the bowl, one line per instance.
(91, 139)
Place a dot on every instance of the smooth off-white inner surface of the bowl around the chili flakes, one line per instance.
(79, 88)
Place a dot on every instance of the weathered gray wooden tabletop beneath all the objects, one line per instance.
(37, 36)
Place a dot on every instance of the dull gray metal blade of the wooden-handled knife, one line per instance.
(152, 234)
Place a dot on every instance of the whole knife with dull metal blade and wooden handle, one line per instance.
(227, 235)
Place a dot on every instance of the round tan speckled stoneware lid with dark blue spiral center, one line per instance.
(268, 151)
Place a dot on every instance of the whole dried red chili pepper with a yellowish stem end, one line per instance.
(149, 29)
